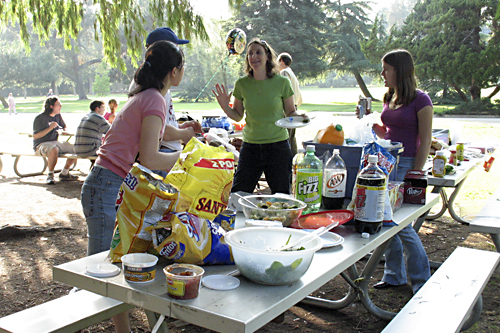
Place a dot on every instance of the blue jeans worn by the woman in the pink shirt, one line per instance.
(99, 193)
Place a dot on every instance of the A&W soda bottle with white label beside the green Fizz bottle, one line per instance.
(334, 182)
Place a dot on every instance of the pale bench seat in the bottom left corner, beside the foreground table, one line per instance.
(68, 314)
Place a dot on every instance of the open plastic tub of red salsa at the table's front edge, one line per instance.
(183, 280)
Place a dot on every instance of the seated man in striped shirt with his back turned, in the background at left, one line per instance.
(92, 127)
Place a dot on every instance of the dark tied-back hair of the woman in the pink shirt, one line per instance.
(161, 58)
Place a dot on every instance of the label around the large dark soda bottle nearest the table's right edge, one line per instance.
(369, 205)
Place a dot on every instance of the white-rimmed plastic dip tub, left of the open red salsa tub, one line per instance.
(139, 267)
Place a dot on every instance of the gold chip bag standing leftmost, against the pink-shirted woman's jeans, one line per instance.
(142, 201)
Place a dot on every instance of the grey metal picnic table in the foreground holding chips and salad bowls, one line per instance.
(251, 306)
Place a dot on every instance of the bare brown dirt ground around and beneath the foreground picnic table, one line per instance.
(42, 226)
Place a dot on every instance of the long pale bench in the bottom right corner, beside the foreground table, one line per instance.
(450, 301)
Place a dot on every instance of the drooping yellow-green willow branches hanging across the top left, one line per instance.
(67, 15)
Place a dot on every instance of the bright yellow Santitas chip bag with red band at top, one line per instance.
(204, 176)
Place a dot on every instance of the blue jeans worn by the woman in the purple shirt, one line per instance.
(409, 241)
